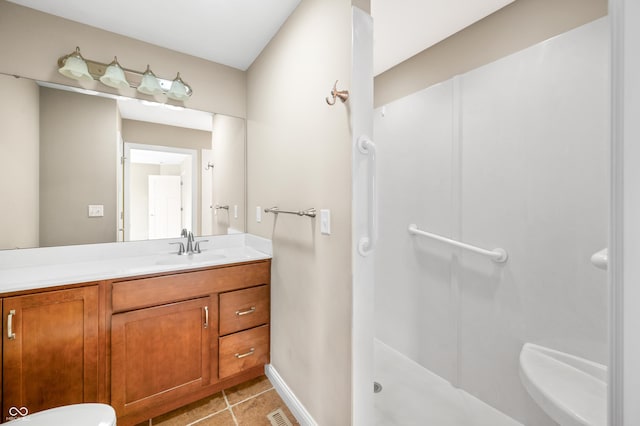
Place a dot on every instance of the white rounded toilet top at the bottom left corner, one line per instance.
(71, 415)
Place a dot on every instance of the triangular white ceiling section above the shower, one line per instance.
(403, 28)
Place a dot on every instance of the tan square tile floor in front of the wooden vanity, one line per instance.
(244, 405)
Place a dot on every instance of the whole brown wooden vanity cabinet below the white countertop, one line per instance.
(146, 345)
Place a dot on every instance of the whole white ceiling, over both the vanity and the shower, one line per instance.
(234, 32)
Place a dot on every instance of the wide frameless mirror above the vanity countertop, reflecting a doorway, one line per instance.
(84, 167)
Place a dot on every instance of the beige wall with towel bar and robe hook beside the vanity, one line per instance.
(299, 156)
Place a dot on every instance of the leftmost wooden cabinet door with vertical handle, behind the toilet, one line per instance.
(50, 343)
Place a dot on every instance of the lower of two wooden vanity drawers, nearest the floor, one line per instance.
(243, 350)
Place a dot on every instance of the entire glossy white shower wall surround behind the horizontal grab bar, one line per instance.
(512, 155)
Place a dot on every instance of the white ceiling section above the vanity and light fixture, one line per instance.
(229, 32)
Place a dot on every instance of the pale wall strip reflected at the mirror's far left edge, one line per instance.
(19, 176)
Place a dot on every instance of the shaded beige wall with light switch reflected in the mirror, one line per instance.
(77, 167)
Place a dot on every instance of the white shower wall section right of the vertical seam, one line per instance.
(534, 180)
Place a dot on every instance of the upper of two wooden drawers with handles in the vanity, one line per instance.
(243, 309)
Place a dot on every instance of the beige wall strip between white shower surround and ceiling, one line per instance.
(519, 25)
